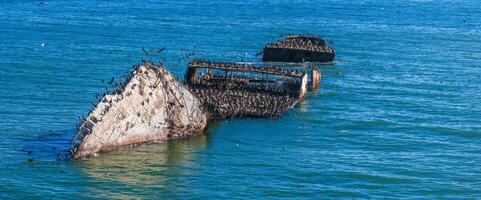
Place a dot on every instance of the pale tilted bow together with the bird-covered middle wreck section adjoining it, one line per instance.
(152, 105)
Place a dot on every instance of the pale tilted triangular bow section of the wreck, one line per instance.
(152, 106)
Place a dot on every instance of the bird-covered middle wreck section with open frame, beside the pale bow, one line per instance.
(229, 90)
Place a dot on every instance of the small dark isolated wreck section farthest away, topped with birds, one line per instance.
(298, 48)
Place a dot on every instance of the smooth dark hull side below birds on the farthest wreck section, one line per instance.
(296, 55)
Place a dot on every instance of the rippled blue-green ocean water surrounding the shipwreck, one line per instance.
(397, 115)
